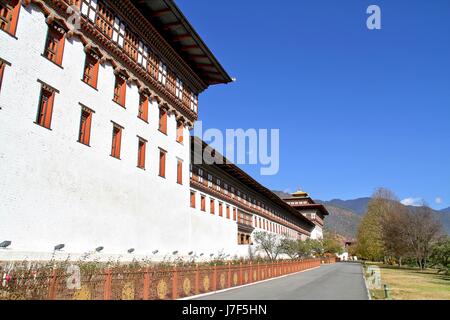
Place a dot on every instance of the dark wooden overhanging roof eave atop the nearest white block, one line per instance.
(171, 23)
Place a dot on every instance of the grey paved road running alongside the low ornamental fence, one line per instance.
(341, 281)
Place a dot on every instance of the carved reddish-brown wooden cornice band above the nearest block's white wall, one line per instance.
(92, 39)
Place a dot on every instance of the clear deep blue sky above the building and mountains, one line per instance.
(356, 109)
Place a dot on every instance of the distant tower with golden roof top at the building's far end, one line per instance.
(315, 212)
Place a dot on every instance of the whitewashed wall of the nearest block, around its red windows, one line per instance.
(55, 190)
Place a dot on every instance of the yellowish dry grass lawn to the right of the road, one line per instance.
(413, 284)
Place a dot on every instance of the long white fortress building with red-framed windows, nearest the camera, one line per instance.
(97, 100)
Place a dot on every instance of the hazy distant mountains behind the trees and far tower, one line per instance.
(346, 215)
